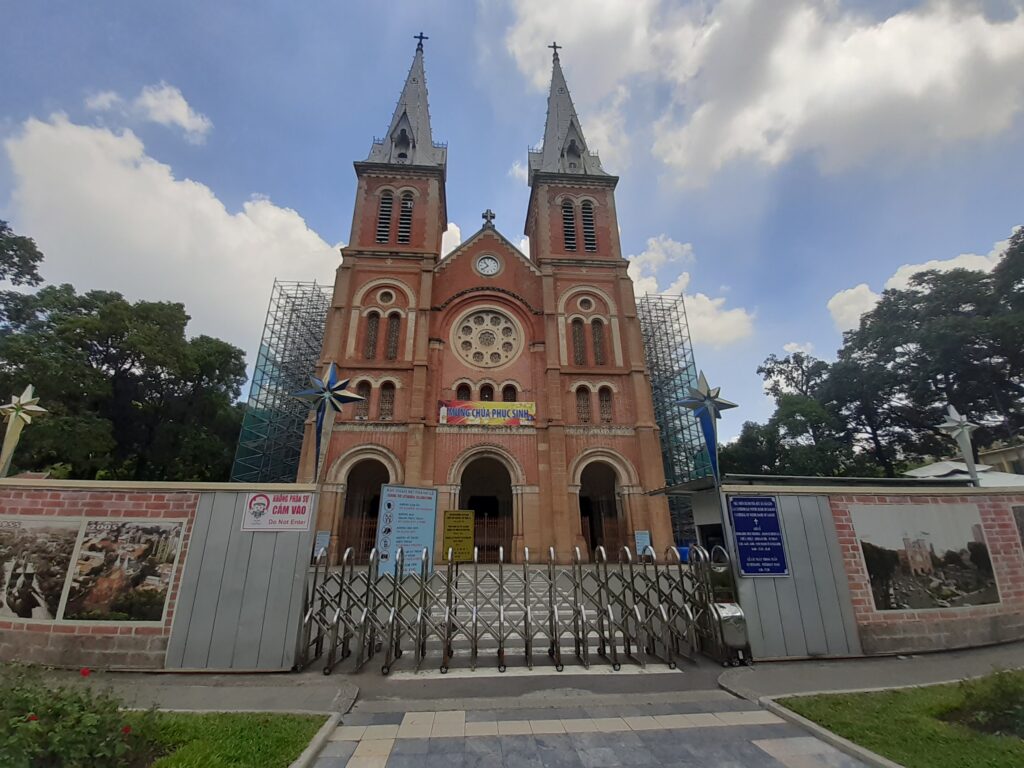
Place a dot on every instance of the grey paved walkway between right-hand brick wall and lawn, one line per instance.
(781, 678)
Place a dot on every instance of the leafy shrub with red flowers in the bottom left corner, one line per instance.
(45, 727)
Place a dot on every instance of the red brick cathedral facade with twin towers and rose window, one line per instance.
(516, 386)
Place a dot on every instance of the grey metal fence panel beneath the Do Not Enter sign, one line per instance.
(241, 596)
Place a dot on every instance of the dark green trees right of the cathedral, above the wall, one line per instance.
(949, 338)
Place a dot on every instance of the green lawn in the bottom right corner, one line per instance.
(908, 726)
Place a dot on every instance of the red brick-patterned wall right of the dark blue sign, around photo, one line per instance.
(937, 629)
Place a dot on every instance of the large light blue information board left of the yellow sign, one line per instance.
(406, 521)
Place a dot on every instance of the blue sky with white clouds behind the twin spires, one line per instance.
(780, 161)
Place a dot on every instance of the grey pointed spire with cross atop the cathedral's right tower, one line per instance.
(565, 149)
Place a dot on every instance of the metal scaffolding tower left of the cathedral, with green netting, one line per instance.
(271, 441)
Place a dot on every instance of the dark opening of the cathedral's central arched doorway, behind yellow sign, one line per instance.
(487, 489)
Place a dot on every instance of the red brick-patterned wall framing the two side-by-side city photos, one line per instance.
(96, 645)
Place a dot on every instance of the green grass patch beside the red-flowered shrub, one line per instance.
(233, 740)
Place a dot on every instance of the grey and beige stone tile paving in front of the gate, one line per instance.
(570, 739)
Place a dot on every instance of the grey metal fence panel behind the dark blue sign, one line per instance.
(807, 614)
